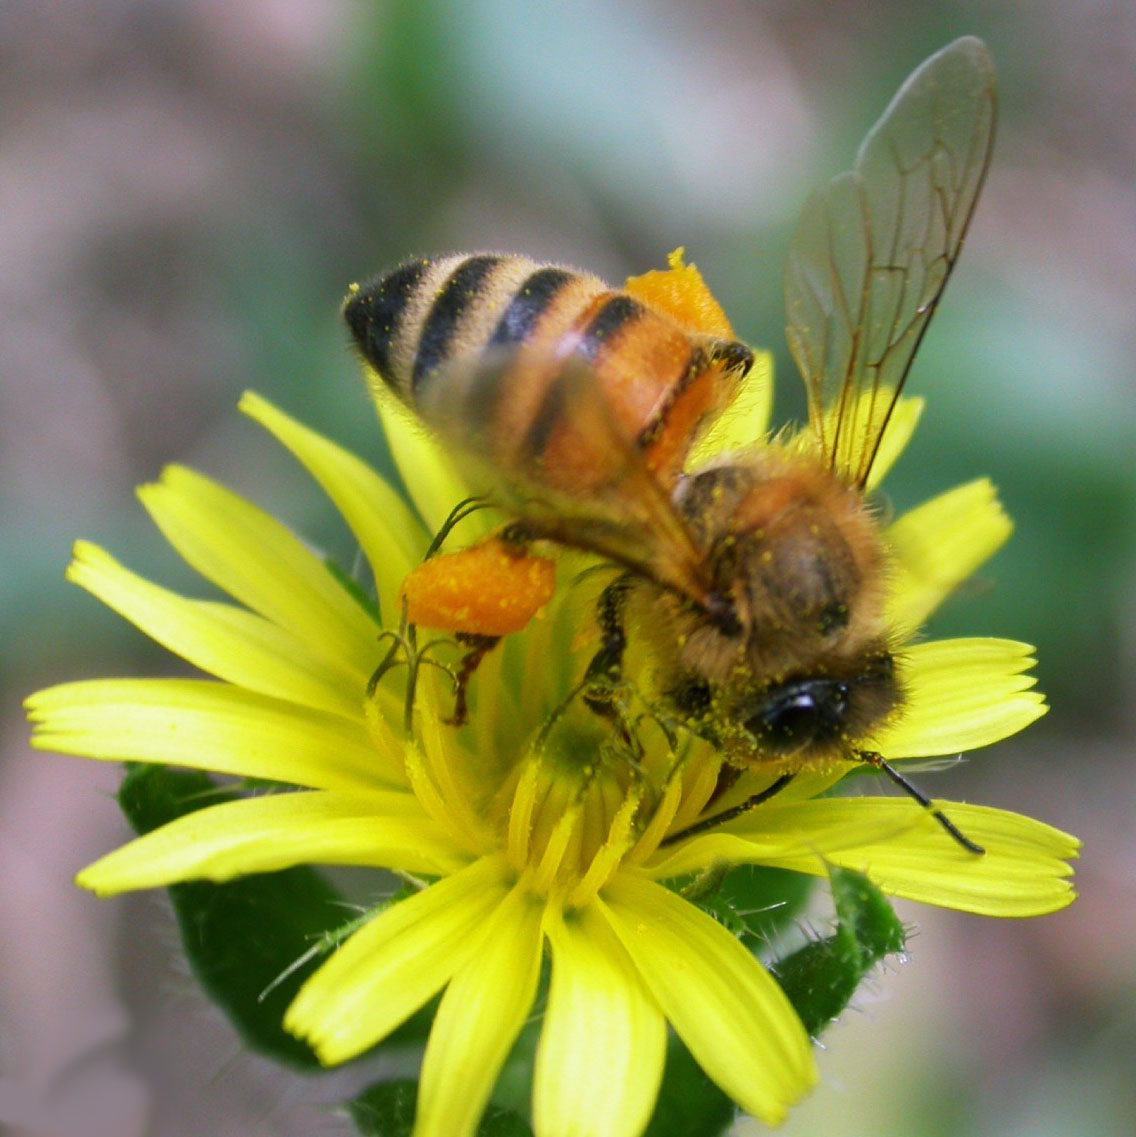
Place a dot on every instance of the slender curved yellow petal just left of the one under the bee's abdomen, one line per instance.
(386, 528)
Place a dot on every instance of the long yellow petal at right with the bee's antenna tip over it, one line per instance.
(1024, 873)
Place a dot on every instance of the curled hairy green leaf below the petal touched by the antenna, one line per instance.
(822, 977)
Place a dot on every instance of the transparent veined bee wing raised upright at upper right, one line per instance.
(874, 251)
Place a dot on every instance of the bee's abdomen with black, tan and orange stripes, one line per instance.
(545, 372)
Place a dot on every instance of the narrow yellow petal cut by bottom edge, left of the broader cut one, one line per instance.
(479, 1019)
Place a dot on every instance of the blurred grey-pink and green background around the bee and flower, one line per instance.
(186, 192)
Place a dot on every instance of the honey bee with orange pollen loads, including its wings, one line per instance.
(759, 579)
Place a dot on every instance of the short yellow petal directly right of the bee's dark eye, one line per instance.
(963, 694)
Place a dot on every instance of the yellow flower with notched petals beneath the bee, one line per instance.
(533, 826)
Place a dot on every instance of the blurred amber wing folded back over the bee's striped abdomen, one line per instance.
(542, 437)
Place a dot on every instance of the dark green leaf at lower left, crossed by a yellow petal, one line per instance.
(241, 937)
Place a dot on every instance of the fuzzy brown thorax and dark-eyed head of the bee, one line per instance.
(806, 667)
